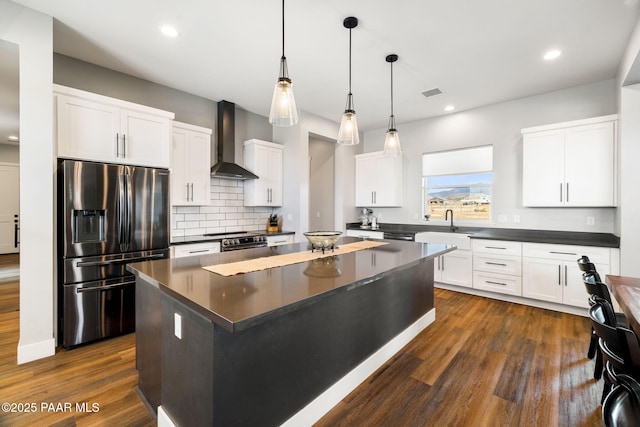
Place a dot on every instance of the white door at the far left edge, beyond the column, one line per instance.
(9, 208)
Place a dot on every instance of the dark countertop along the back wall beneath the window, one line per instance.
(606, 240)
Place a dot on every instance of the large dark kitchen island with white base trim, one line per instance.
(278, 344)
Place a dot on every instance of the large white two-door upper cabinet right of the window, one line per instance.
(570, 164)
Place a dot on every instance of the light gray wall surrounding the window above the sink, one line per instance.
(500, 124)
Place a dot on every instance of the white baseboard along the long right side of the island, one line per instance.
(338, 391)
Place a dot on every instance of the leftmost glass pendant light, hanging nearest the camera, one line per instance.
(283, 105)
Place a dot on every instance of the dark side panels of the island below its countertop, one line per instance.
(265, 374)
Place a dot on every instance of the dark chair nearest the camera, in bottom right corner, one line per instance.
(621, 408)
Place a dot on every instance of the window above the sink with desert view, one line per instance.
(460, 180)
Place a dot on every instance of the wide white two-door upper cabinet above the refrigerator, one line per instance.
(99, 128)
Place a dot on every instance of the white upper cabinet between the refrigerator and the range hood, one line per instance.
(190, 165)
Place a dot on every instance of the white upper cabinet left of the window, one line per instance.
(378, 180)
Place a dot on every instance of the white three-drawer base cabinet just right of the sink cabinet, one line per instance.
(497, 266)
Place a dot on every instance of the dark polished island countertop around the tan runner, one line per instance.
(242, 301)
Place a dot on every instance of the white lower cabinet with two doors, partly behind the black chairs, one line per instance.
(551, 272)
